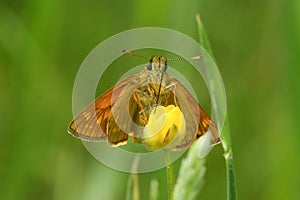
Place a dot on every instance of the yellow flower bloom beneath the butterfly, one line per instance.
(165, 127)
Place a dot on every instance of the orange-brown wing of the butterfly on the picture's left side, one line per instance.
(96, 122)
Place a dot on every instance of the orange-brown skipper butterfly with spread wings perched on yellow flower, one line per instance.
(124, 109)
